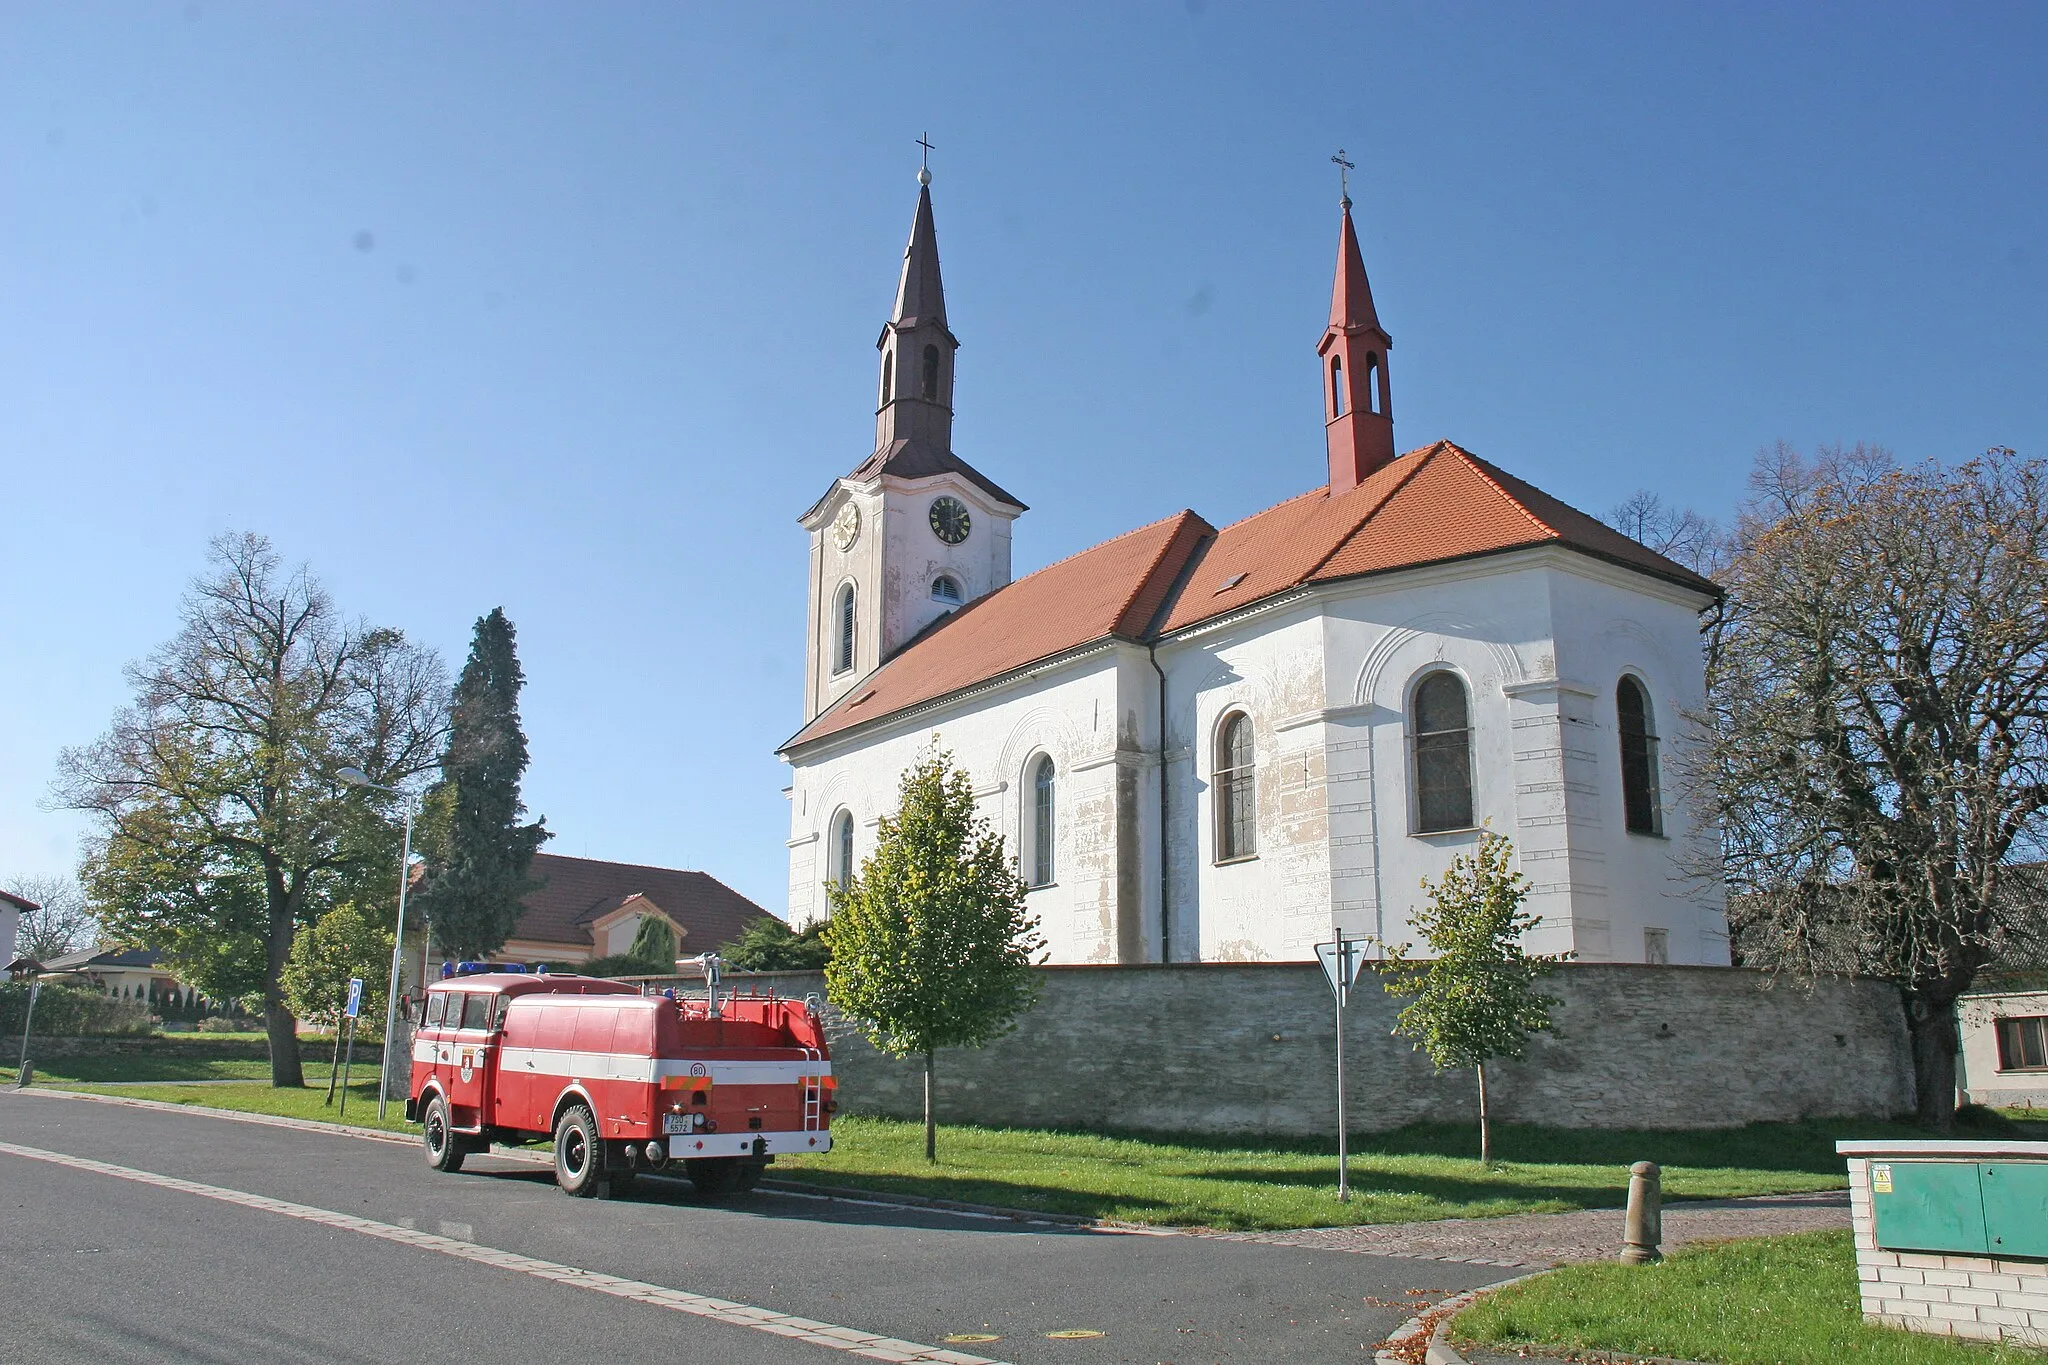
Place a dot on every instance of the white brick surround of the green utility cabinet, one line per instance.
(1949, 1296)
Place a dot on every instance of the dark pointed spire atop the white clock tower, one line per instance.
(916, 376)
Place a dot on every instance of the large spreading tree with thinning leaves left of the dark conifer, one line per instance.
(222, 773)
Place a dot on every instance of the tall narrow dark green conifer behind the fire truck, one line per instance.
(476, 850)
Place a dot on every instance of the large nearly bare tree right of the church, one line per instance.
(1877, 723)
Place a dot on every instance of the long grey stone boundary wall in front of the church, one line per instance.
(1248, 1049)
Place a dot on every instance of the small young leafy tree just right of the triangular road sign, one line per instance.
(1476, 1000)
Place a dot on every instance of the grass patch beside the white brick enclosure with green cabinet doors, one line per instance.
(1785, 1301)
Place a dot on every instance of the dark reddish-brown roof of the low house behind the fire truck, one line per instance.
(581, 891)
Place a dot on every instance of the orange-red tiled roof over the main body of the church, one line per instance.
(1428, 507)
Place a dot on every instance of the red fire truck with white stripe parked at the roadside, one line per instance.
(620, 1082)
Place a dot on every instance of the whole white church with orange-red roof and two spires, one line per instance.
(1222, 744)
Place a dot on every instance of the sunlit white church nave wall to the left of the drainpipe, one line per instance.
(1070, 713)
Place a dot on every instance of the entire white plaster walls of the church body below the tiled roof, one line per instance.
(1326, 678)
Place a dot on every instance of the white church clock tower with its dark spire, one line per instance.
(914, 533)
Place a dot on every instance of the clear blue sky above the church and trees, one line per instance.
(570, 310)
